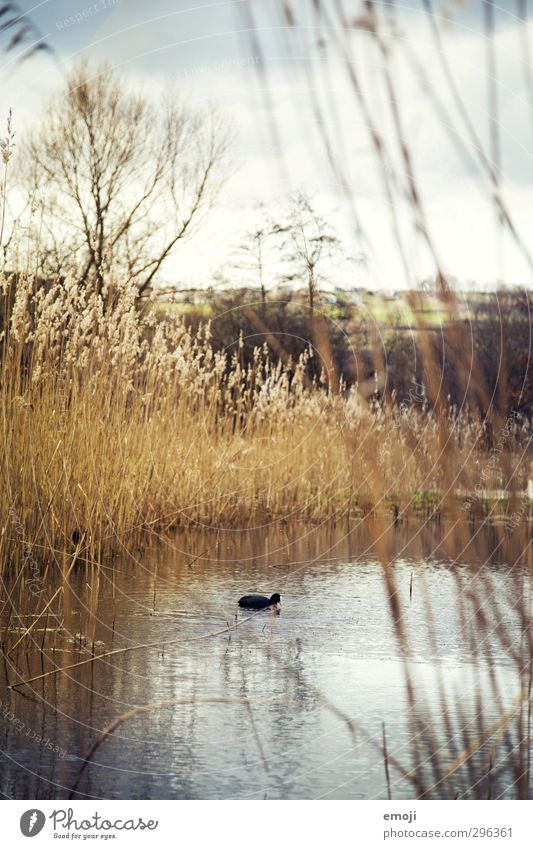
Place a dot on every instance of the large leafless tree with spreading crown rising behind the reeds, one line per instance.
(122, 178)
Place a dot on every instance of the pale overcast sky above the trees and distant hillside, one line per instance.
(208, 51)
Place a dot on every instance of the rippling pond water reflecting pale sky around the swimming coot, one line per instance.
(290, 705)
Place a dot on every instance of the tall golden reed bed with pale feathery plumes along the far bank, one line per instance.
(113, 423)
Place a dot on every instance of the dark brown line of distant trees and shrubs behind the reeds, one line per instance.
(480, 361)
